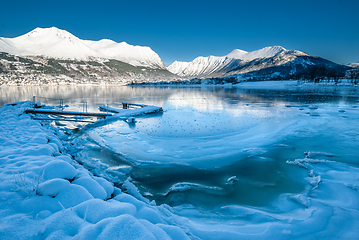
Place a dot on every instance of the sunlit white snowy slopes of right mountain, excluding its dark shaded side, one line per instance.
(217, 66)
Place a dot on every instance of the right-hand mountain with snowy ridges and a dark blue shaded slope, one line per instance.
(268, 62)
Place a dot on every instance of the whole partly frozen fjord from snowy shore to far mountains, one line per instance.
(251, 160)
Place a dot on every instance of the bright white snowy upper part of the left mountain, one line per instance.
(60, 44)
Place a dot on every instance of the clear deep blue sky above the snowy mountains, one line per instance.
(183, 30)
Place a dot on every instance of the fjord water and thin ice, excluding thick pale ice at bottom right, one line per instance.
(214, 146)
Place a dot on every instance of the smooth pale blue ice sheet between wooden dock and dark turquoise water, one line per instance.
(197, 137)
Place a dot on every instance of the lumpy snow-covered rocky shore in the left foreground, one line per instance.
(44, 194)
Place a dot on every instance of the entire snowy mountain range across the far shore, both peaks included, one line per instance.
(55, 51)
